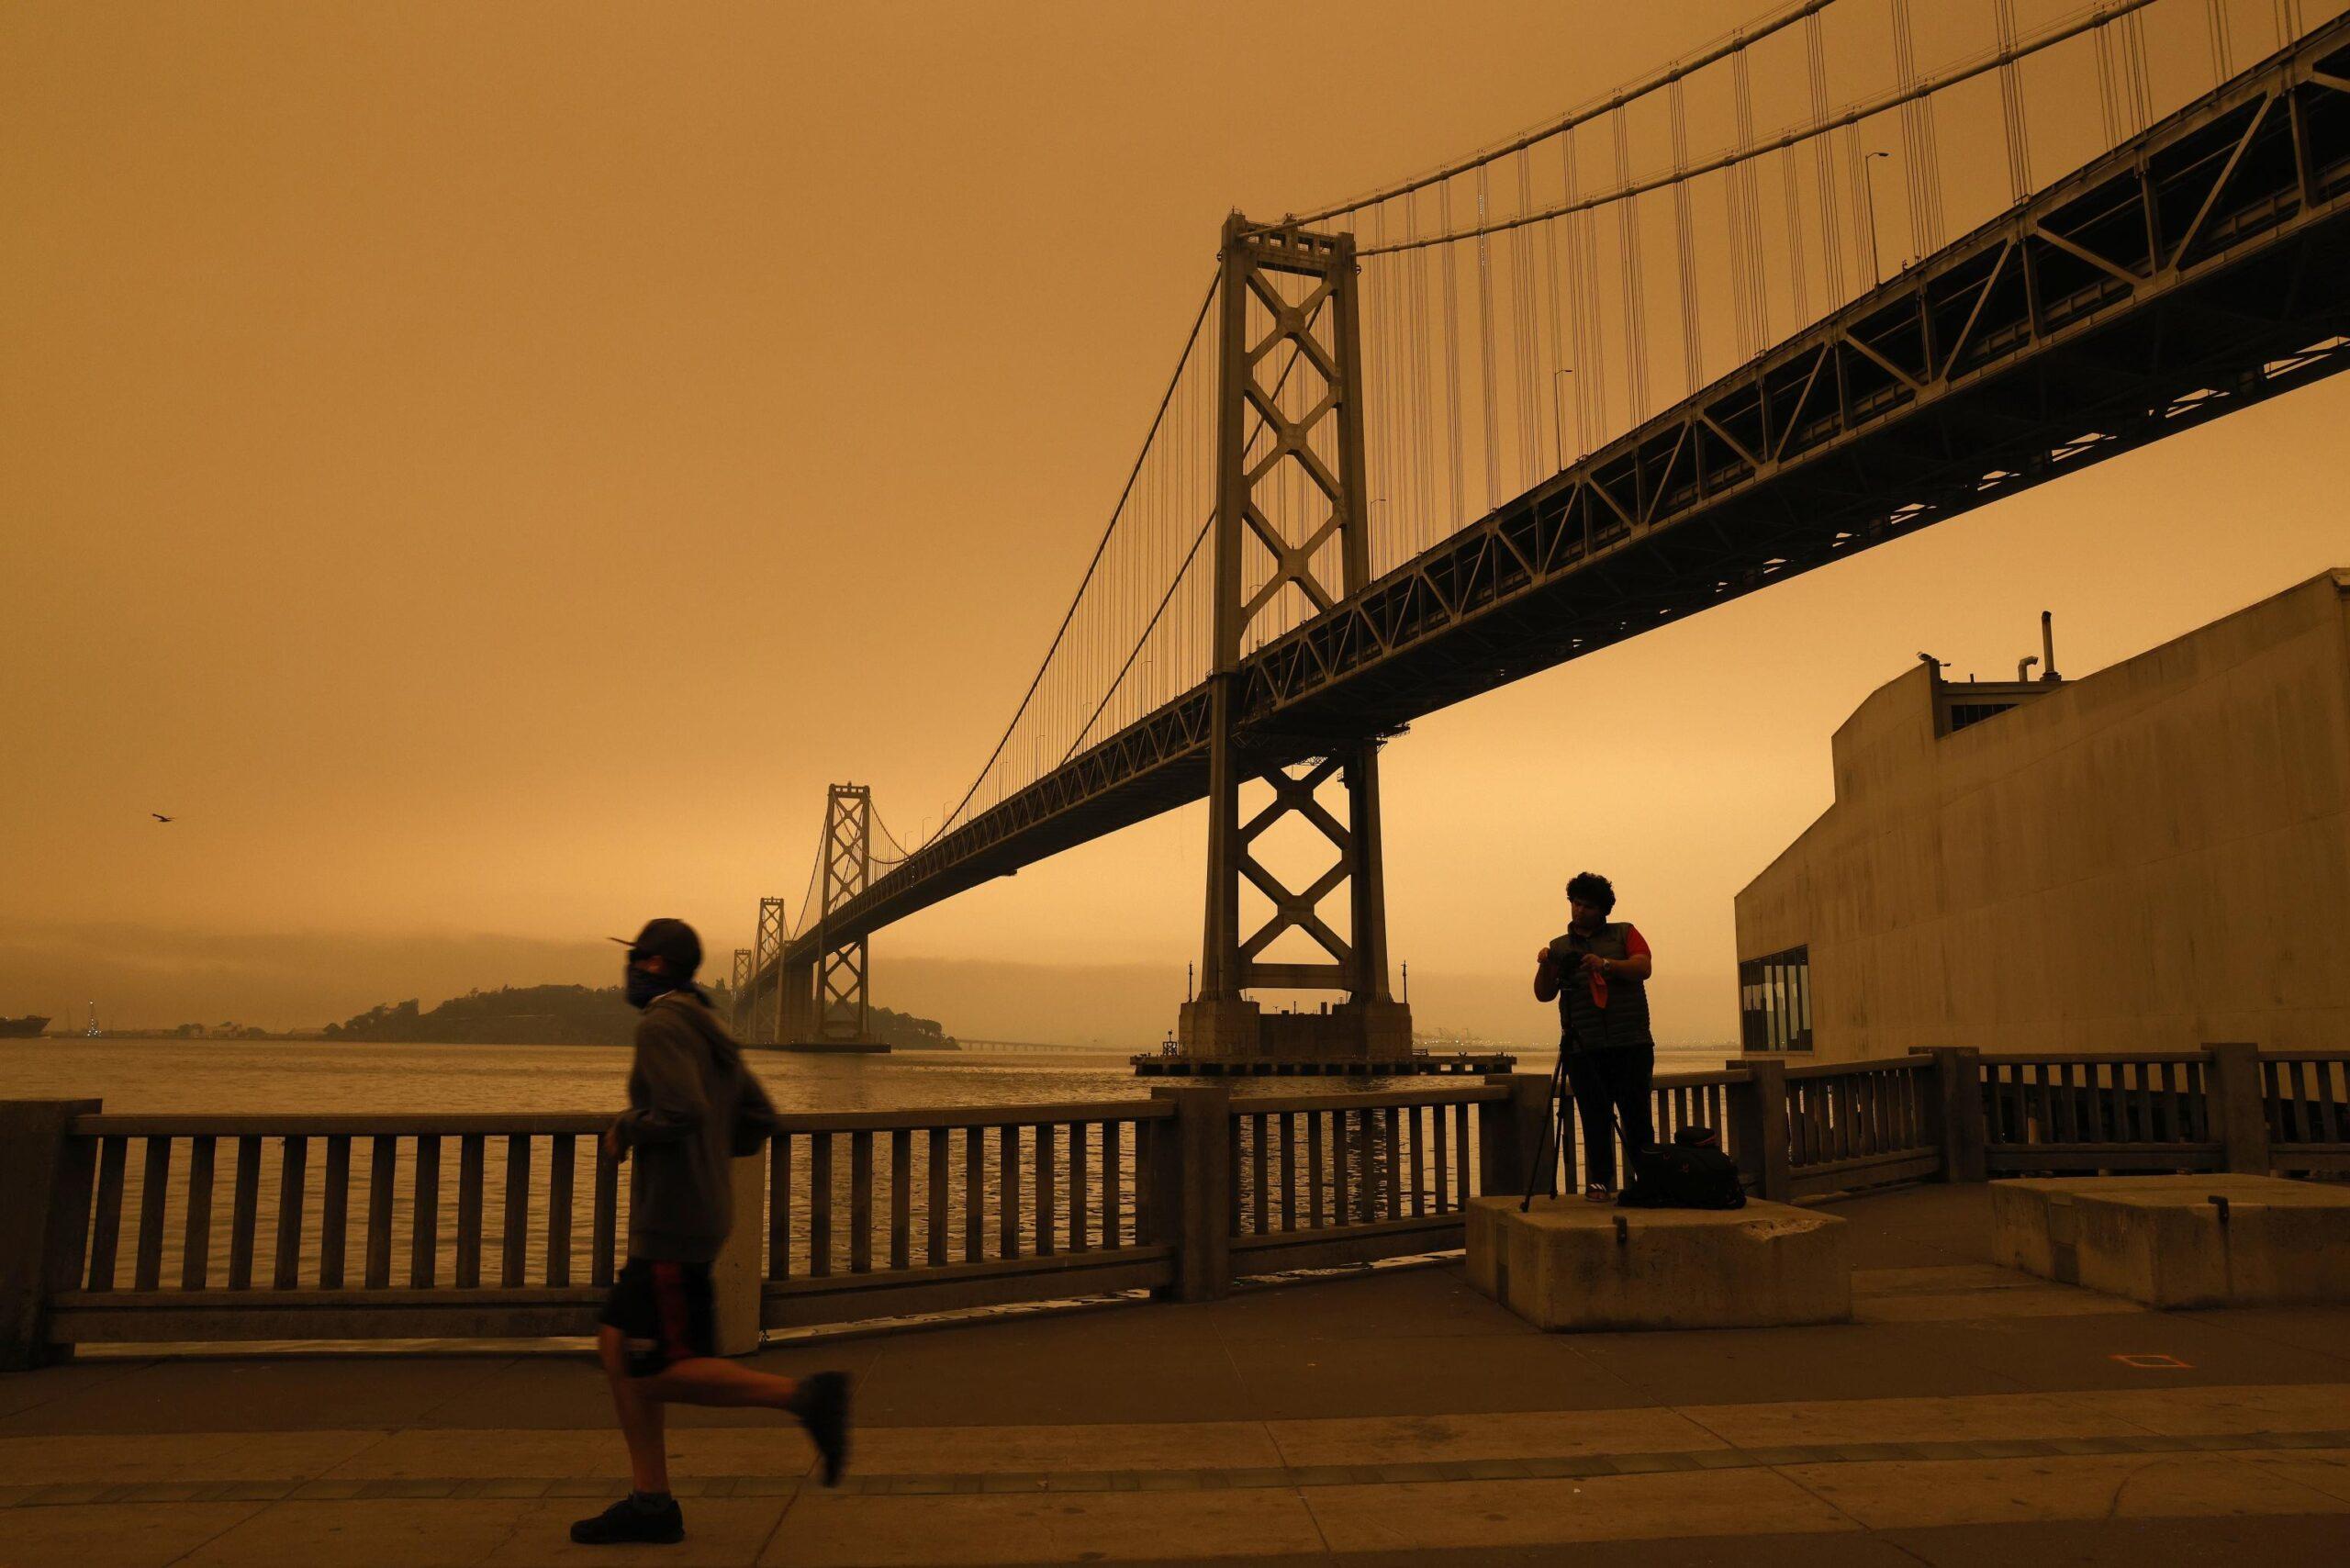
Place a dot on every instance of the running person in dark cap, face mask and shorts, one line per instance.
(692, 1104)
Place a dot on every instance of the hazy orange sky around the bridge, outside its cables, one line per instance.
(488, 469)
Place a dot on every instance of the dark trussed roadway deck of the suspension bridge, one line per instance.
(2201, 269)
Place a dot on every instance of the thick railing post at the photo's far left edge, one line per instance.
(43, 1224)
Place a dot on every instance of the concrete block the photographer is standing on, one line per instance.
(1569, 1266)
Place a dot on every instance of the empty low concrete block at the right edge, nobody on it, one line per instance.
(2180, 1240)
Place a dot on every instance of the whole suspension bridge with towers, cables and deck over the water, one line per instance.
(1677, 344)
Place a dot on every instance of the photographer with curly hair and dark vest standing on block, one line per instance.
(1599, 974)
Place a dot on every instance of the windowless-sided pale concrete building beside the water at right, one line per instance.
(2151, 857)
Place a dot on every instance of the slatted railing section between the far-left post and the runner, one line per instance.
(333, 1228)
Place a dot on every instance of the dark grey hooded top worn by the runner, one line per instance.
(692, 1108)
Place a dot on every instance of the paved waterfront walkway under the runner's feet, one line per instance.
(1968, 1414)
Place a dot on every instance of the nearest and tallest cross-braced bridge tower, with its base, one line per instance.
(1289, 337)
